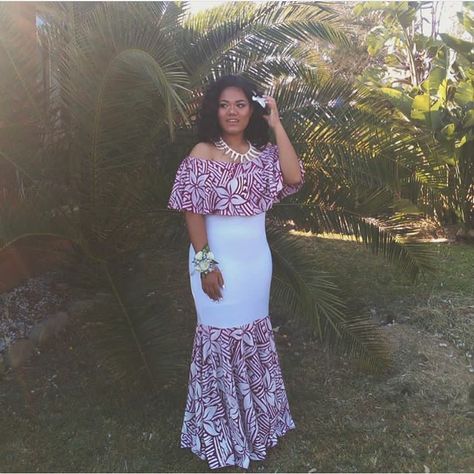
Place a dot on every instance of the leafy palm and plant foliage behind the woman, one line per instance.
(97, 113)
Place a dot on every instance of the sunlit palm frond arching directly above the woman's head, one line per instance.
(231, 38)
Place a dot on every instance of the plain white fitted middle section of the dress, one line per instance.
(240, 246)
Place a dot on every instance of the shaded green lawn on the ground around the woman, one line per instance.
(58, 413)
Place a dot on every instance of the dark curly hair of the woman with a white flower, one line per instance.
(208, 128)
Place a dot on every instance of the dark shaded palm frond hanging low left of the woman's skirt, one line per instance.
(132, 334)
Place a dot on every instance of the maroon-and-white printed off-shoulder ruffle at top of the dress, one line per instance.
(231, 189)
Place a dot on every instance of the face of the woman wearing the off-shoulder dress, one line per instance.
(233, 111)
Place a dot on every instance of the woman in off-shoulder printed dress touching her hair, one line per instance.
(236, 406)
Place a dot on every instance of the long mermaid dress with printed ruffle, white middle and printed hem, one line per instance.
(236, 405)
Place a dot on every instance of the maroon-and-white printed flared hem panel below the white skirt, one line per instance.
(237, 405)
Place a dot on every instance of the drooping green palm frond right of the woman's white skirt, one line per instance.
(312, 299)
